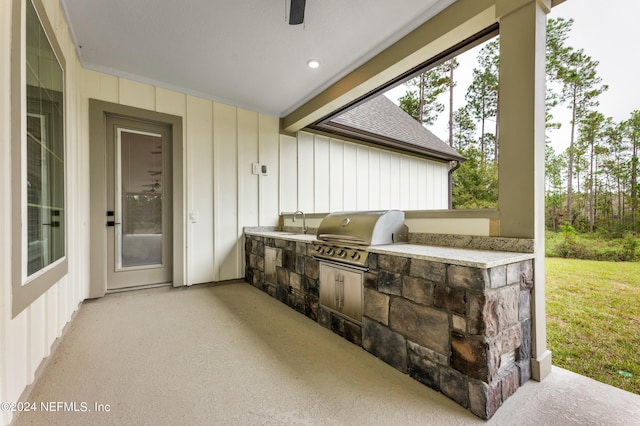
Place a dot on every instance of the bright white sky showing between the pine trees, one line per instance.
(606, 31)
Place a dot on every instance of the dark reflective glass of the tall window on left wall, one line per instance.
(45, 149)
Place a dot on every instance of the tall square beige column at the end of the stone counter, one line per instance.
(522, 143)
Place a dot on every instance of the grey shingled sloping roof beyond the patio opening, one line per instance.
(382, 122)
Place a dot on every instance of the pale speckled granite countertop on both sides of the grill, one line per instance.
(474, 258)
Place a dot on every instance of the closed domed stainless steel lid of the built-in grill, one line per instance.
(366, 228)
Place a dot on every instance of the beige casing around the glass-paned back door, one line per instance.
(98, 112)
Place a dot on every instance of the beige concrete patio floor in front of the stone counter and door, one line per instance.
(230, 354)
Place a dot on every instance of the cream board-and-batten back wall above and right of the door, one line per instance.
(222, 194)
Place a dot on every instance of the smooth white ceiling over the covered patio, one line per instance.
(240, 52)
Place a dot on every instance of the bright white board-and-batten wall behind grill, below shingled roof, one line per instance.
(321, 174)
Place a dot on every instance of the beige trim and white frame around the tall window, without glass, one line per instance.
(27, 288)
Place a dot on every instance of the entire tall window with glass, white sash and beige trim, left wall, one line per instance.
(38, 156)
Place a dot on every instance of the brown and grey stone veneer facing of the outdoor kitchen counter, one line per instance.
(461, 330)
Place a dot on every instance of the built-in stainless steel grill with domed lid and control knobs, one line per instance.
(344, 236)
